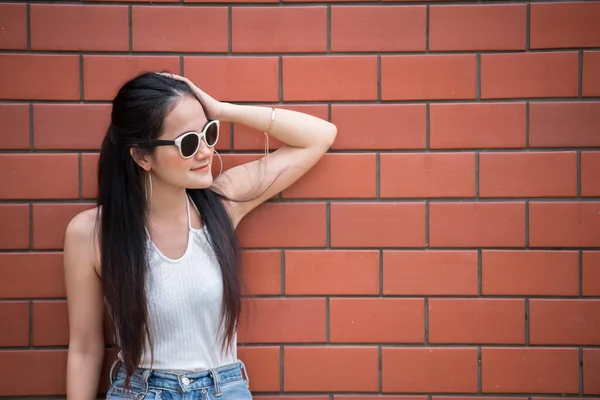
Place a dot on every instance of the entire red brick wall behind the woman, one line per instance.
(447, 247)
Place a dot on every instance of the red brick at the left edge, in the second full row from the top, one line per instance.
(39, 77)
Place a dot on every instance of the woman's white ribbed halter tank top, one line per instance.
(185, 303)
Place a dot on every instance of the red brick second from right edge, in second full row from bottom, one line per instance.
(470, 321)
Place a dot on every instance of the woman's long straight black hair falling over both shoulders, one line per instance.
(137, 116)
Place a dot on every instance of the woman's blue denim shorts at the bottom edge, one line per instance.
(227, 382)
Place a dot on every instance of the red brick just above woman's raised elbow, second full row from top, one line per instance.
(329, 78)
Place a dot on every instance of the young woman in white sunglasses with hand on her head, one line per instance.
(160, 250)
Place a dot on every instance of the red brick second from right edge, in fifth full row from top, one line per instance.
(477, 224)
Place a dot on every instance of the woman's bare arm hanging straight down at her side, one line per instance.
(85, 303)
